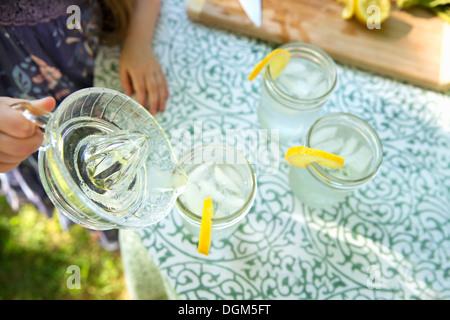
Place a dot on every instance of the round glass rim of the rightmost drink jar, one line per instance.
(323, 176)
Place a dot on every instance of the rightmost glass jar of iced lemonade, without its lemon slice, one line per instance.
(345, 135)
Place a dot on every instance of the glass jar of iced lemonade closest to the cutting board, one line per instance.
(295, 99)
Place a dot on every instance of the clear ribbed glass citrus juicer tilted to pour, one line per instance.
(105, 162)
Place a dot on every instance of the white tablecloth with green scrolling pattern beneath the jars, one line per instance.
(389, 240)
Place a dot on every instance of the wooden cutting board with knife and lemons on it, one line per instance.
(412, 46)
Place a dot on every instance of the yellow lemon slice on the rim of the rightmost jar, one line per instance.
(301, 157)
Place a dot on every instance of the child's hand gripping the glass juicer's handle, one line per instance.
(19, 137)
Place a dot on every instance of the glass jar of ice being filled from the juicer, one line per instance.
(224, 174)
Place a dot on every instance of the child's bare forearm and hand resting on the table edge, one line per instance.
(140, 71)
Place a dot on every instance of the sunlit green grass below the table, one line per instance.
(35, 254)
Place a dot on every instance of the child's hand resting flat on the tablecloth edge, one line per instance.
(140, 72)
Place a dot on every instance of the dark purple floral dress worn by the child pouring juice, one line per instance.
(43, 53)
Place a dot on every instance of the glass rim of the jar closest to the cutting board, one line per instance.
(320, 57)
